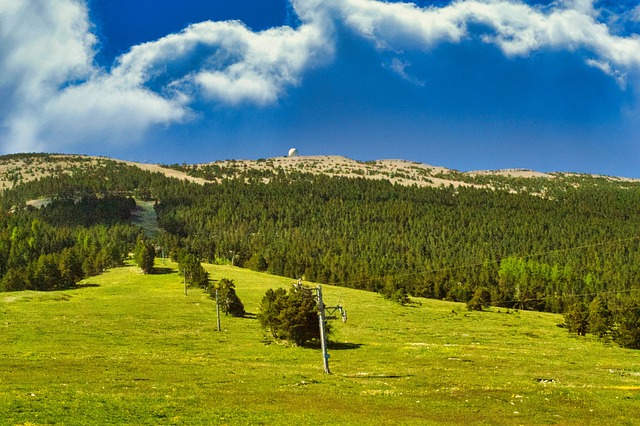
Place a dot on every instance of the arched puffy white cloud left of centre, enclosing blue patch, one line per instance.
(235, 65)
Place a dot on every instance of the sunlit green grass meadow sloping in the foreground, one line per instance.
(125, 348)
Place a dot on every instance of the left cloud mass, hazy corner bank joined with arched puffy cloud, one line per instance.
(59, 97)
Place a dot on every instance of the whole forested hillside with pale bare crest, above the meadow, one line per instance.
(561, 243)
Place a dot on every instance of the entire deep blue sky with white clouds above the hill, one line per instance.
(479, 84)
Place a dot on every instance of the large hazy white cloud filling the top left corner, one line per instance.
(54, 95)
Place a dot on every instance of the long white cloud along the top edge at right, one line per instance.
(515, 27)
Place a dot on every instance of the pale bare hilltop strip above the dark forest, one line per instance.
(22, 168)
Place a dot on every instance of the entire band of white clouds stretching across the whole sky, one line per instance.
(54, 94)
